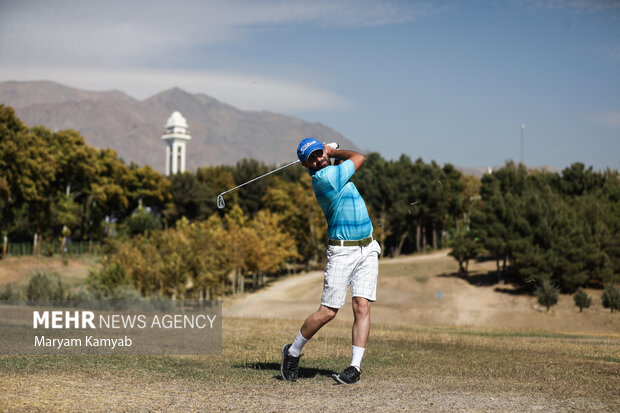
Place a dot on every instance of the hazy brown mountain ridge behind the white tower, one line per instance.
(221, 134)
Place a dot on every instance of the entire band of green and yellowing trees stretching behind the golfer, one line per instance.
(166, 236)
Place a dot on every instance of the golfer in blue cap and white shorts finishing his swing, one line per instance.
(352, 254)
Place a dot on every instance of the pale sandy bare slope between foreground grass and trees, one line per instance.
(411, 292)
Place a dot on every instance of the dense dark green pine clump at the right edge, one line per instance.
(542, 226)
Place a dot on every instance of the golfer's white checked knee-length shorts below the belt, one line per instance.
(355, 266)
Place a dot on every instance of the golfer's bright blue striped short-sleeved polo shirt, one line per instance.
(343, 206)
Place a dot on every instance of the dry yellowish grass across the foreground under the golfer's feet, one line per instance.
(406, 368)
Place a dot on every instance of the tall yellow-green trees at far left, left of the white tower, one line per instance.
(53, 181)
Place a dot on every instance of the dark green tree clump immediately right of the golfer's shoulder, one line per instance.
(411, 204)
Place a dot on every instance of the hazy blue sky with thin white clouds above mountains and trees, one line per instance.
(450, 81)
